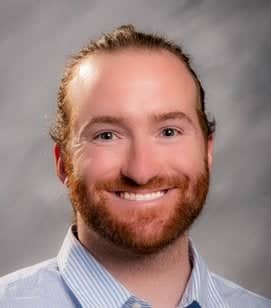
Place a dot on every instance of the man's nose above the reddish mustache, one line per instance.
(141, 162)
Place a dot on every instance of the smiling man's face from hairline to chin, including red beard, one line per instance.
(138, 168)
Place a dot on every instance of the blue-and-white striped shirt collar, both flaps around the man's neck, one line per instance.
(93, 285)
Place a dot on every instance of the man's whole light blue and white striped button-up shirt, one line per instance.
(76, 279)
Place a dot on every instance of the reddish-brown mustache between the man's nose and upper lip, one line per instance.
(123, 183)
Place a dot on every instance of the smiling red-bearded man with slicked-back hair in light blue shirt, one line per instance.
(134, 147)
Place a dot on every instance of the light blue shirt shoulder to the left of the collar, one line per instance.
(31, 286)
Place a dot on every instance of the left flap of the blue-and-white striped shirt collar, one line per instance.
(90, 282)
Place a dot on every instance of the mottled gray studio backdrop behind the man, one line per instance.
(230, 46)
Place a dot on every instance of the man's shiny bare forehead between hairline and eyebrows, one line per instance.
(133, 82)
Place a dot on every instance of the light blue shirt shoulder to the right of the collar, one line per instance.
(236, 296)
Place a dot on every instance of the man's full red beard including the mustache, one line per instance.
(146, 230)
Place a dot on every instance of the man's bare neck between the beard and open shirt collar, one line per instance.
(165, 274)
